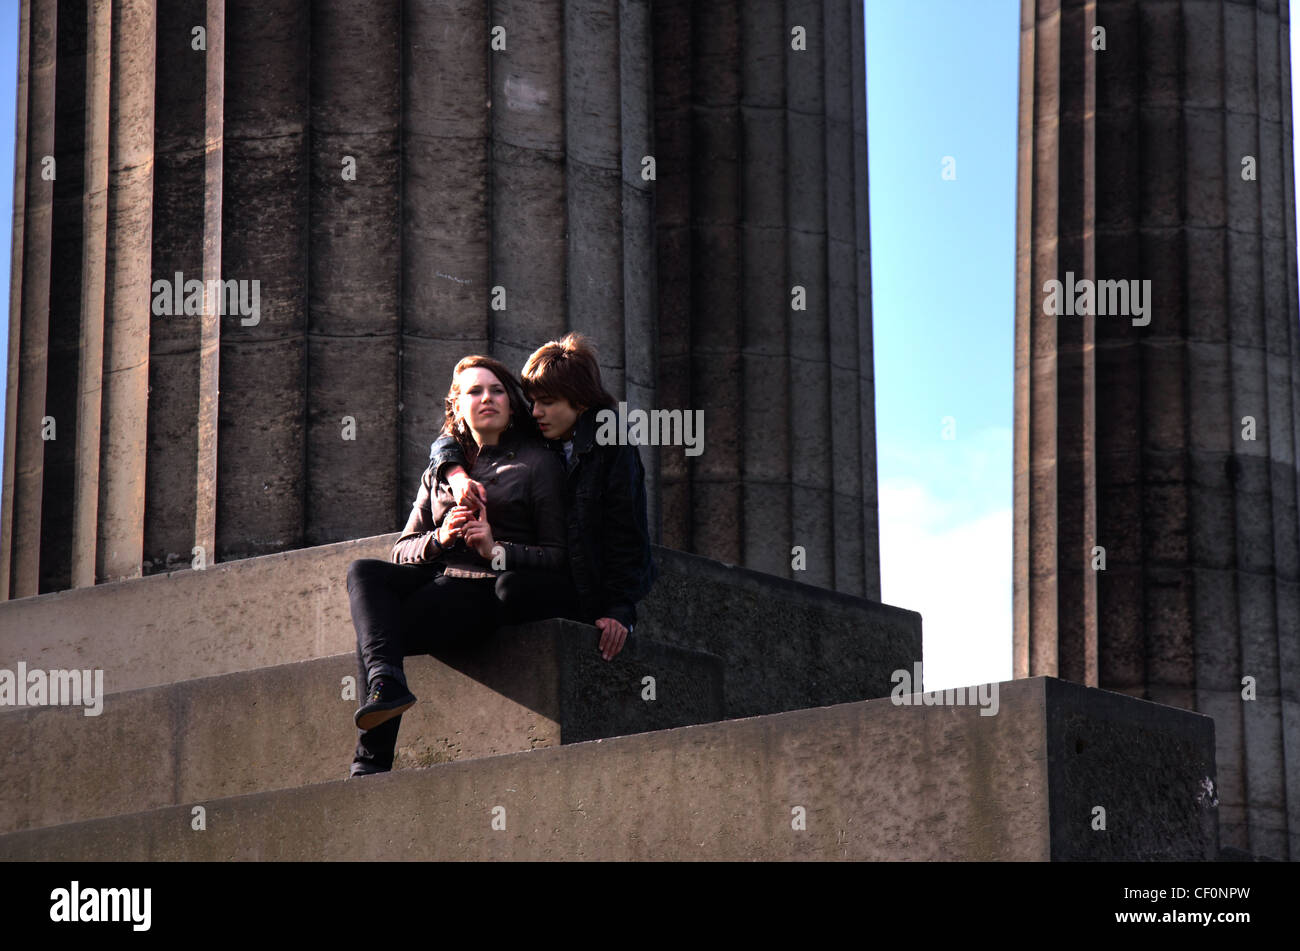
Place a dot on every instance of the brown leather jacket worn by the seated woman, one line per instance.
(526, 511)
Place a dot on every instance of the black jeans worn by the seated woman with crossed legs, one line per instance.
(405, 610)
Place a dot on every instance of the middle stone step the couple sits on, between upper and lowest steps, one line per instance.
(292, 726)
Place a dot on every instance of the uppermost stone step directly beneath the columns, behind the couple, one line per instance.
(785, 645)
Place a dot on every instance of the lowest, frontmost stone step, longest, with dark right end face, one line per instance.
(859, 781)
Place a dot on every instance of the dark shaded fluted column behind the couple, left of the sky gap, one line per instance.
(764, 190)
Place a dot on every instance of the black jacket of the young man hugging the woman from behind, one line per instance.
(609, 540)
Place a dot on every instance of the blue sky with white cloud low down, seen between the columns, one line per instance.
(942, 81)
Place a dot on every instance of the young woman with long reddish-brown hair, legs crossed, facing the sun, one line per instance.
(458, 571)
